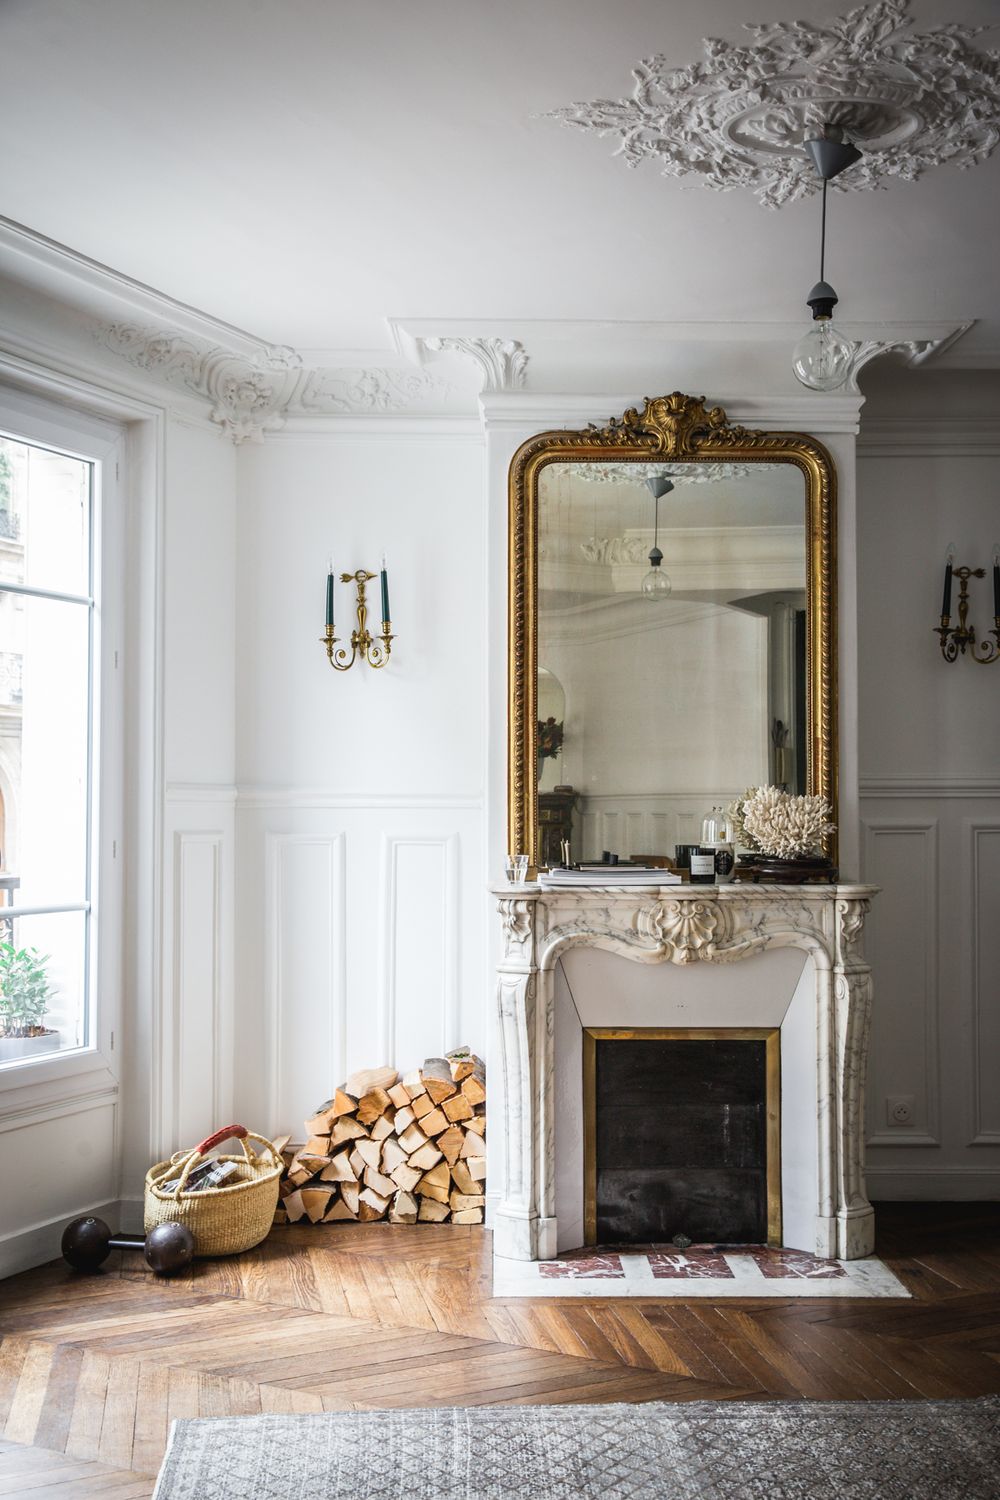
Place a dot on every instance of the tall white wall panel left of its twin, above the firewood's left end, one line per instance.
(307, 1009)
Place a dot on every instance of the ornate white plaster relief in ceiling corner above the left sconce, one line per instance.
(251, 397)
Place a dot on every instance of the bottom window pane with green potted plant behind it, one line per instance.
(43, 986)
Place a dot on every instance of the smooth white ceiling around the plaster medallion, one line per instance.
(308, 169)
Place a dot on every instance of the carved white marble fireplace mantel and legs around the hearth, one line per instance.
(683, 925)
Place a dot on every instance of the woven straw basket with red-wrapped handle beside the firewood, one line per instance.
(223, 1220)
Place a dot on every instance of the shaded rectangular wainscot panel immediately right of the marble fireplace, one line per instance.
(921, 836)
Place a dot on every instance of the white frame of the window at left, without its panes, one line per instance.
(44, 424)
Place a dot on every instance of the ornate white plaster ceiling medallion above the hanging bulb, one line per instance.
(911, 100)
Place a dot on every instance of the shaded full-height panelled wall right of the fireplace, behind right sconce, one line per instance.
(929, 475)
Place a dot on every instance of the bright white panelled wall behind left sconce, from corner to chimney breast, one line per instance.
(361, 889)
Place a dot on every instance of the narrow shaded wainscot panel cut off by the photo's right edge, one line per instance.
(984, 982)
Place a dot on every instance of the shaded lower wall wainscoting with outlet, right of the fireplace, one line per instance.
(933, 940)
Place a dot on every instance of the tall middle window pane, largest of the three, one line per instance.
(44, 751)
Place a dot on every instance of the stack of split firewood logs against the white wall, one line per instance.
(407, 1150)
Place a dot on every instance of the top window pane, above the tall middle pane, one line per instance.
(44, 518)
